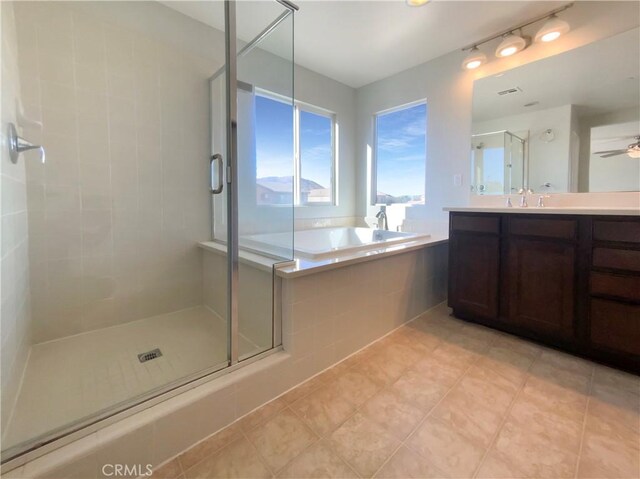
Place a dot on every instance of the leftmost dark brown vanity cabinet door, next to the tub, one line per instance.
(474, 266)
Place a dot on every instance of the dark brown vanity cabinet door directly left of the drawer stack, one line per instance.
(542, 285)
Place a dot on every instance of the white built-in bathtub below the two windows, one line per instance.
(323, 243)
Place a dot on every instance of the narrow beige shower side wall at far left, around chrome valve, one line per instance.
(15, 310)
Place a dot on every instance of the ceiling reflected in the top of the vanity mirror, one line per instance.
(599, 78)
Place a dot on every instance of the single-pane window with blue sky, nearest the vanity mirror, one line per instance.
(400, 155)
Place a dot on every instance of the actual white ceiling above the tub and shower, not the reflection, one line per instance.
(359, 42)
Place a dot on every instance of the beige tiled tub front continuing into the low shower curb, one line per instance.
(326, 317)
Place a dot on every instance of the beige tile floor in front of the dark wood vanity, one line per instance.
(437, 398)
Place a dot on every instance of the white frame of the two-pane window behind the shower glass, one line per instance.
(299, 106)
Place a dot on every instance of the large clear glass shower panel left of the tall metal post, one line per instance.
(106, 305)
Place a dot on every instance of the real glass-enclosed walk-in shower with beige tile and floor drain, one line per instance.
(107, 297)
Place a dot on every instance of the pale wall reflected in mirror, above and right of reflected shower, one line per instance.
(548, 162)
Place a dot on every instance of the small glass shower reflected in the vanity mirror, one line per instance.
(498, 165)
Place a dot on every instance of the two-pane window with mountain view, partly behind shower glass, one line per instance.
(313, 134)
